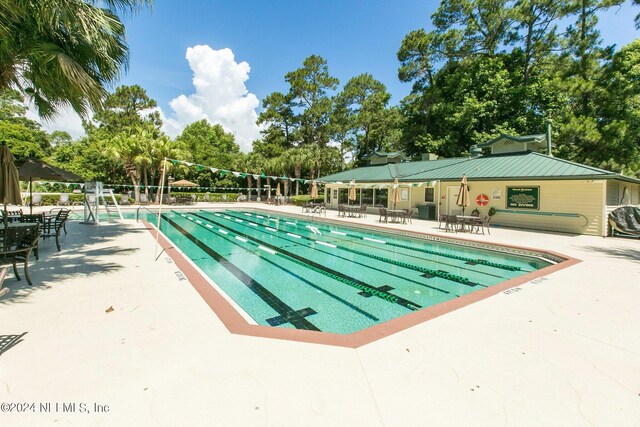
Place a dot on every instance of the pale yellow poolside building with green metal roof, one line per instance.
(526, 188)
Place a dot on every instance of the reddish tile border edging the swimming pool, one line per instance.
(236, 324)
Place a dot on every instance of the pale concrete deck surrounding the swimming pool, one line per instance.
(561, 350)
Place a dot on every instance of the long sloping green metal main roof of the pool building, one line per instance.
(524, 165)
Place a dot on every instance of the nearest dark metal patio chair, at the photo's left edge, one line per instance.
(17, 245)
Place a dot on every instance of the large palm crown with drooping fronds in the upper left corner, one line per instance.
(63, 52)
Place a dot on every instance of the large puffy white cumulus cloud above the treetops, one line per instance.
(220, 96)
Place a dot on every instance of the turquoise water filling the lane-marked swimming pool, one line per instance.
(294, 273)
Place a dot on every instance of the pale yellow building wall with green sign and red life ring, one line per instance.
(581, 201)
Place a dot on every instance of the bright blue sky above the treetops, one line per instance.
(273, 37)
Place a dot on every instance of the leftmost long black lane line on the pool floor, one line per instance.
(269, 298)
